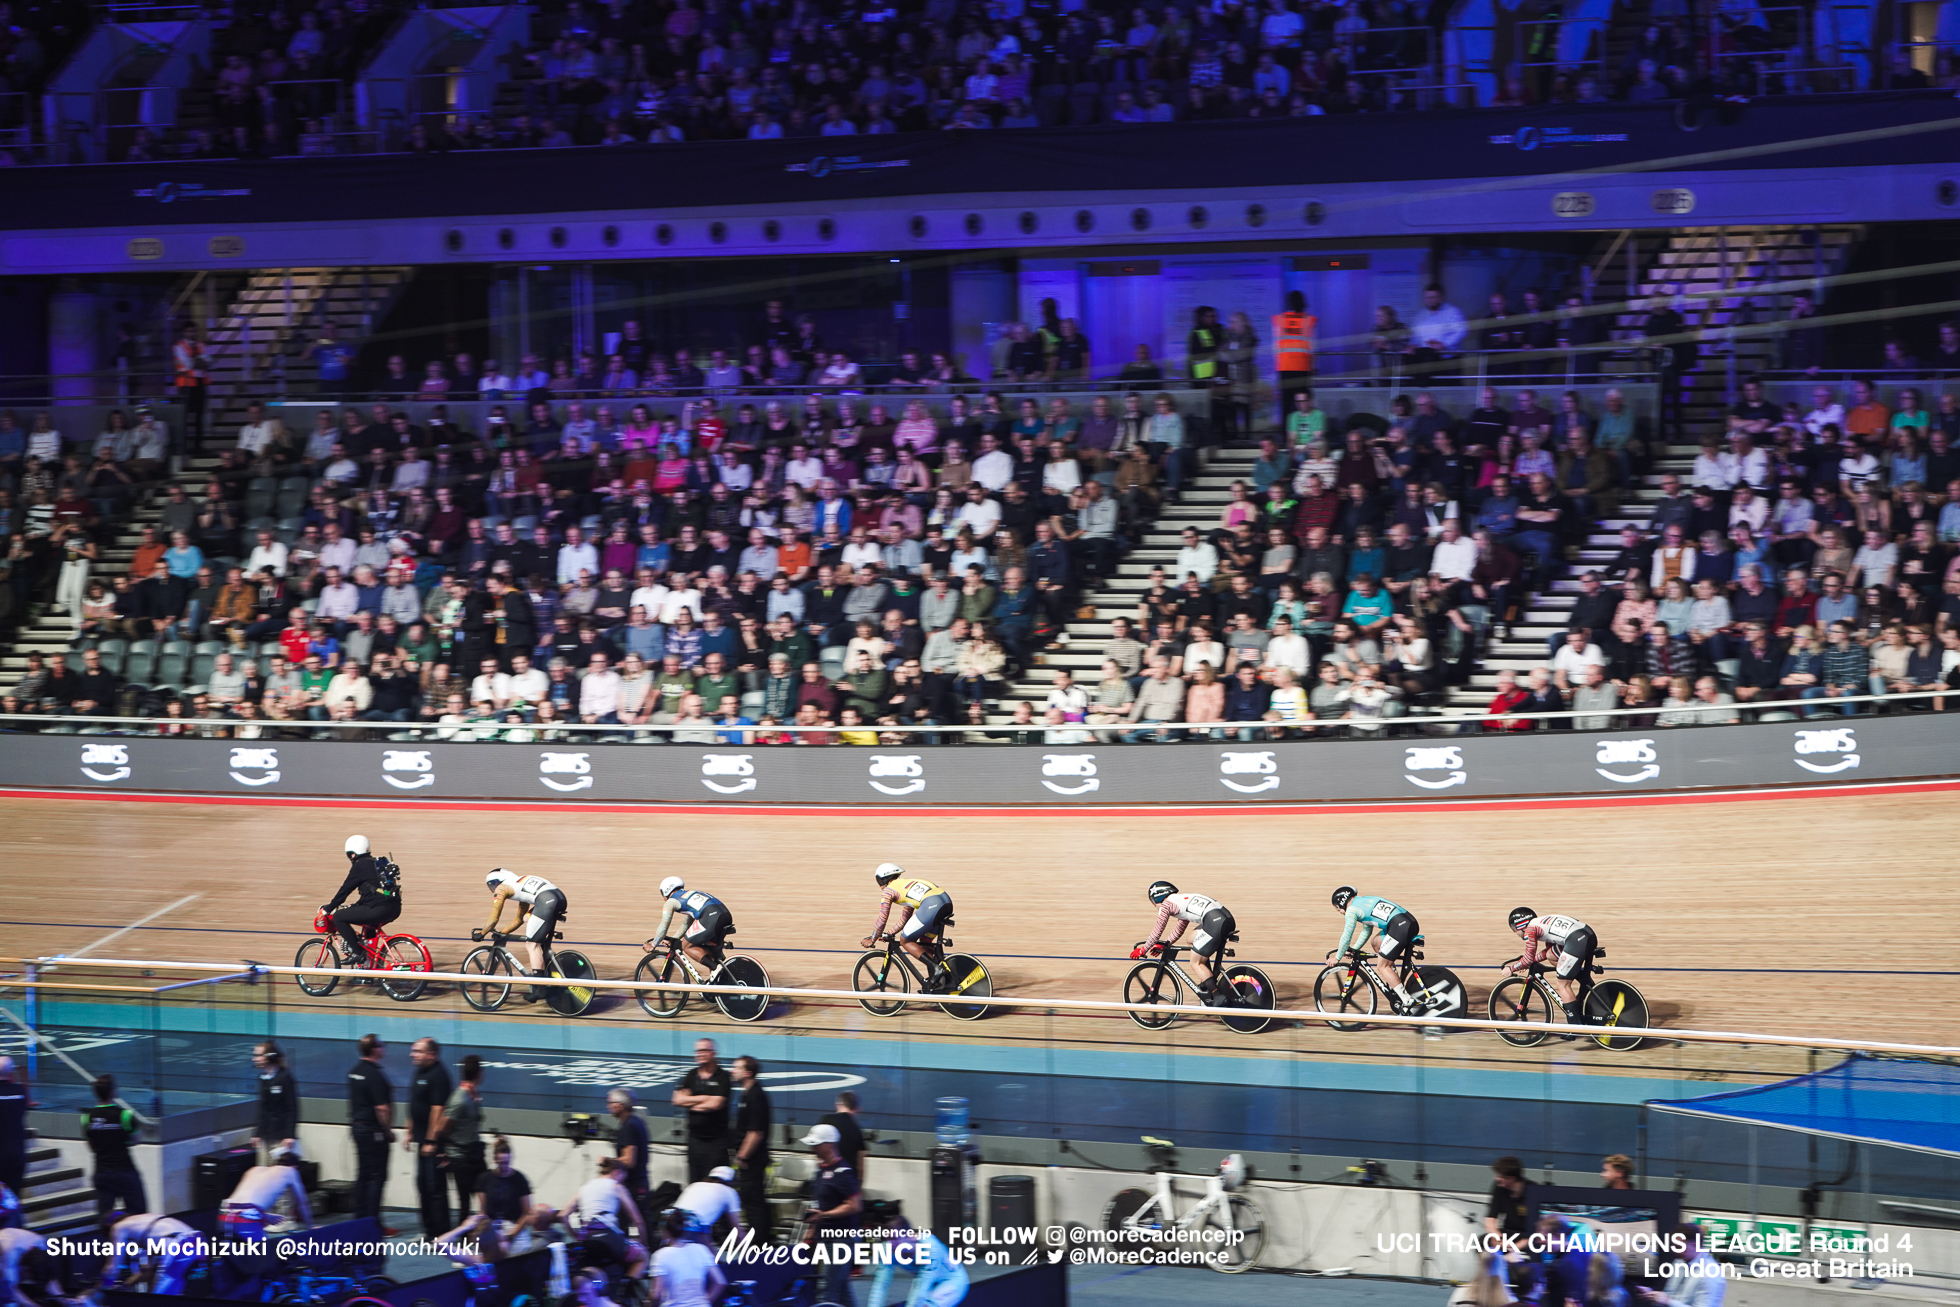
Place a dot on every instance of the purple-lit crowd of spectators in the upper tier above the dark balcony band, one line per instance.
(707, 72)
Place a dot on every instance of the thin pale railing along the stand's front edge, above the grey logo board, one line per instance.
(707, 732)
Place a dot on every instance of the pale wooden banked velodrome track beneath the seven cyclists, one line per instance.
(1824, 916)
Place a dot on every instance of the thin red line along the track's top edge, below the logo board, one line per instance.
(1057, 810)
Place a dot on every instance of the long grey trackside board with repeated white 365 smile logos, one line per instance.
(1473, 767)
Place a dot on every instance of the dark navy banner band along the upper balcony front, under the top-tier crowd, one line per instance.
(1804, 132)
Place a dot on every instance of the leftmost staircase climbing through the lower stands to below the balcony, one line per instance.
(256, 352)
